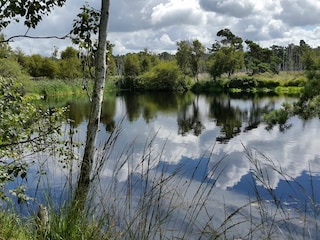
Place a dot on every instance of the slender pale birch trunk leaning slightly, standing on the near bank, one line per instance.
(95, 112)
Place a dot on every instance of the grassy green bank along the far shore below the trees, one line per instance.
(282, 83)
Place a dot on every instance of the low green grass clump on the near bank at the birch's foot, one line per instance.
(63, 225)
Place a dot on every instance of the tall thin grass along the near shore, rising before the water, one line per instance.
(141, 197)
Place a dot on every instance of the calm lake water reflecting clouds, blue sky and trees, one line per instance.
(209, 150)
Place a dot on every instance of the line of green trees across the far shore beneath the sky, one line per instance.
(227, 56)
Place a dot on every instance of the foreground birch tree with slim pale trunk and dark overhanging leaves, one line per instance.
(32, 11)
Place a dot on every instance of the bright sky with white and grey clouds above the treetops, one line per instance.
(159, 24)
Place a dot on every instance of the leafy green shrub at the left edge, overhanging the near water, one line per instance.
(23, 127)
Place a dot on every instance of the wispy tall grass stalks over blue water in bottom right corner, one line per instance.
(277, 220)
